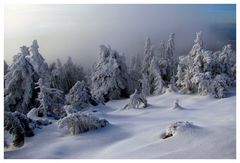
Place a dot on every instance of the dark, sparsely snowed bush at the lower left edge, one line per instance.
(19, 126)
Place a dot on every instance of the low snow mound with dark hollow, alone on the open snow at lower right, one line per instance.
(179, 128)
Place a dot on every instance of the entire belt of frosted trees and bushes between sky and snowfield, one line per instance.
(61, 90)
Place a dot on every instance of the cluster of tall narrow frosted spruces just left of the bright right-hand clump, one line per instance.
(159, 67)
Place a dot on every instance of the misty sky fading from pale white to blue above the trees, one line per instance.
(79, 30)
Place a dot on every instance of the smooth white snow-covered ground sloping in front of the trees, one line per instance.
(136, 133)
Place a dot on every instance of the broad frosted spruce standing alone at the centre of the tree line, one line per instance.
(109, 76)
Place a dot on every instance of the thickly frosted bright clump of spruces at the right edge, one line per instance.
(205, 72)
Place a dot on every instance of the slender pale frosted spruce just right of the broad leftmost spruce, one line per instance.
(39, 64)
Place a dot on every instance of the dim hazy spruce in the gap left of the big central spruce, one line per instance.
(72, 74)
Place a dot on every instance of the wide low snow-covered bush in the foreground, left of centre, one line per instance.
(78, 123)
